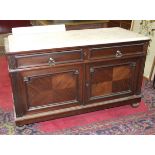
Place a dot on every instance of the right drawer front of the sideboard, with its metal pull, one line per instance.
(116, 51)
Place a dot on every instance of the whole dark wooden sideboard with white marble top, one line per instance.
(60, 74)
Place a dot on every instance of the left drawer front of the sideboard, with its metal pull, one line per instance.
(52, 58)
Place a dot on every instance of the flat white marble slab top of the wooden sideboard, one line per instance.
(38, 41)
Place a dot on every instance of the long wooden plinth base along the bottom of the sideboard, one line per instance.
(49, 115)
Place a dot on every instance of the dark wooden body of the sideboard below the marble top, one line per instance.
(83, 79)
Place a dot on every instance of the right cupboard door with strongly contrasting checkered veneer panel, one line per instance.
(110, 80)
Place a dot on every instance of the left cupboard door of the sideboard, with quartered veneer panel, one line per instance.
(55, 87)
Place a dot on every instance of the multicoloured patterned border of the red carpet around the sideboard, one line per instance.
(142, 123)
